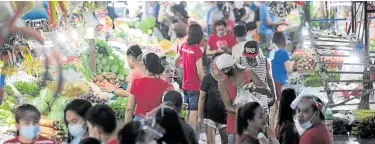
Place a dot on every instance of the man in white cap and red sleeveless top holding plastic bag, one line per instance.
(235, 76)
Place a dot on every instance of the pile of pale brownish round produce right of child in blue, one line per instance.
(305, 62)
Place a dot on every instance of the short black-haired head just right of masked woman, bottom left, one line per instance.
(102, 124)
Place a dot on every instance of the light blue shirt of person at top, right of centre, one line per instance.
(263, 15)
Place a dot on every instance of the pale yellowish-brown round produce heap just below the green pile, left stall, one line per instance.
(107, 79)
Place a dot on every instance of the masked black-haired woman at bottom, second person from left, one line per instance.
(74, 116)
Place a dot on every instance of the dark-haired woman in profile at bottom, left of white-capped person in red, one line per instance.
(251, 125)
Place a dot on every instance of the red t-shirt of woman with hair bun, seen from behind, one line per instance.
(148, 93)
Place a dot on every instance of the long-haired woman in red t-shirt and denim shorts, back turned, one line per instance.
(191, 56)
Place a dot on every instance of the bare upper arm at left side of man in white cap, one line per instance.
(224, 93)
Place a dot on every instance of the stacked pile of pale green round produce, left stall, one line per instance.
(106, 62)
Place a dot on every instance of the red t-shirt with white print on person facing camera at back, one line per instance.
(227, 41)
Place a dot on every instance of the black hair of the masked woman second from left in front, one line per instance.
(78, 106)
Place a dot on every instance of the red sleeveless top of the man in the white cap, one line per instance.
(231, 120)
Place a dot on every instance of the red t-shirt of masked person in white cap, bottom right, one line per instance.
(318, 134)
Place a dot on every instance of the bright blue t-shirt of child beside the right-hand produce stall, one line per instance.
(279, 73)
